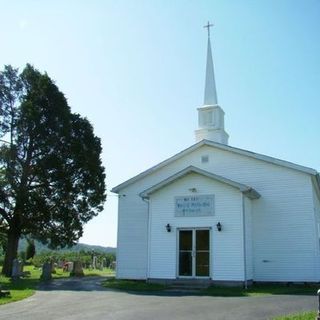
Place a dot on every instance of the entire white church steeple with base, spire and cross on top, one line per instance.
(211, 115)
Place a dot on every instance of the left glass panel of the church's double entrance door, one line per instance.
(185, 253)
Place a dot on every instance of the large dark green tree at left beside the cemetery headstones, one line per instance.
(51, 176)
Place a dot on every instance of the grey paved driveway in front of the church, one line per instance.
(74, 299)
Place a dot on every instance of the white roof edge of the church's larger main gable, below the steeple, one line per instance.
(224, 147)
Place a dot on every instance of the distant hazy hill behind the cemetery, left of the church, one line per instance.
(78, 247)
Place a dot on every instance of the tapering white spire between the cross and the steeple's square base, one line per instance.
(210, 93)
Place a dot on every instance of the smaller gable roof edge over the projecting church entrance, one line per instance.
(248, 191)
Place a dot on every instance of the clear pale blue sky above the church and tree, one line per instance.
(135, 69)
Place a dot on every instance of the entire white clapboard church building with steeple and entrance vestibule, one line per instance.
(218, 213)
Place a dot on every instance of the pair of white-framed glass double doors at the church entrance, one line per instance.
(194, 253)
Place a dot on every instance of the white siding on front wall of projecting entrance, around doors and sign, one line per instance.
(226, 253)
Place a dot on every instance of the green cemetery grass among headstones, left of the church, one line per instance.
(25, 287)
